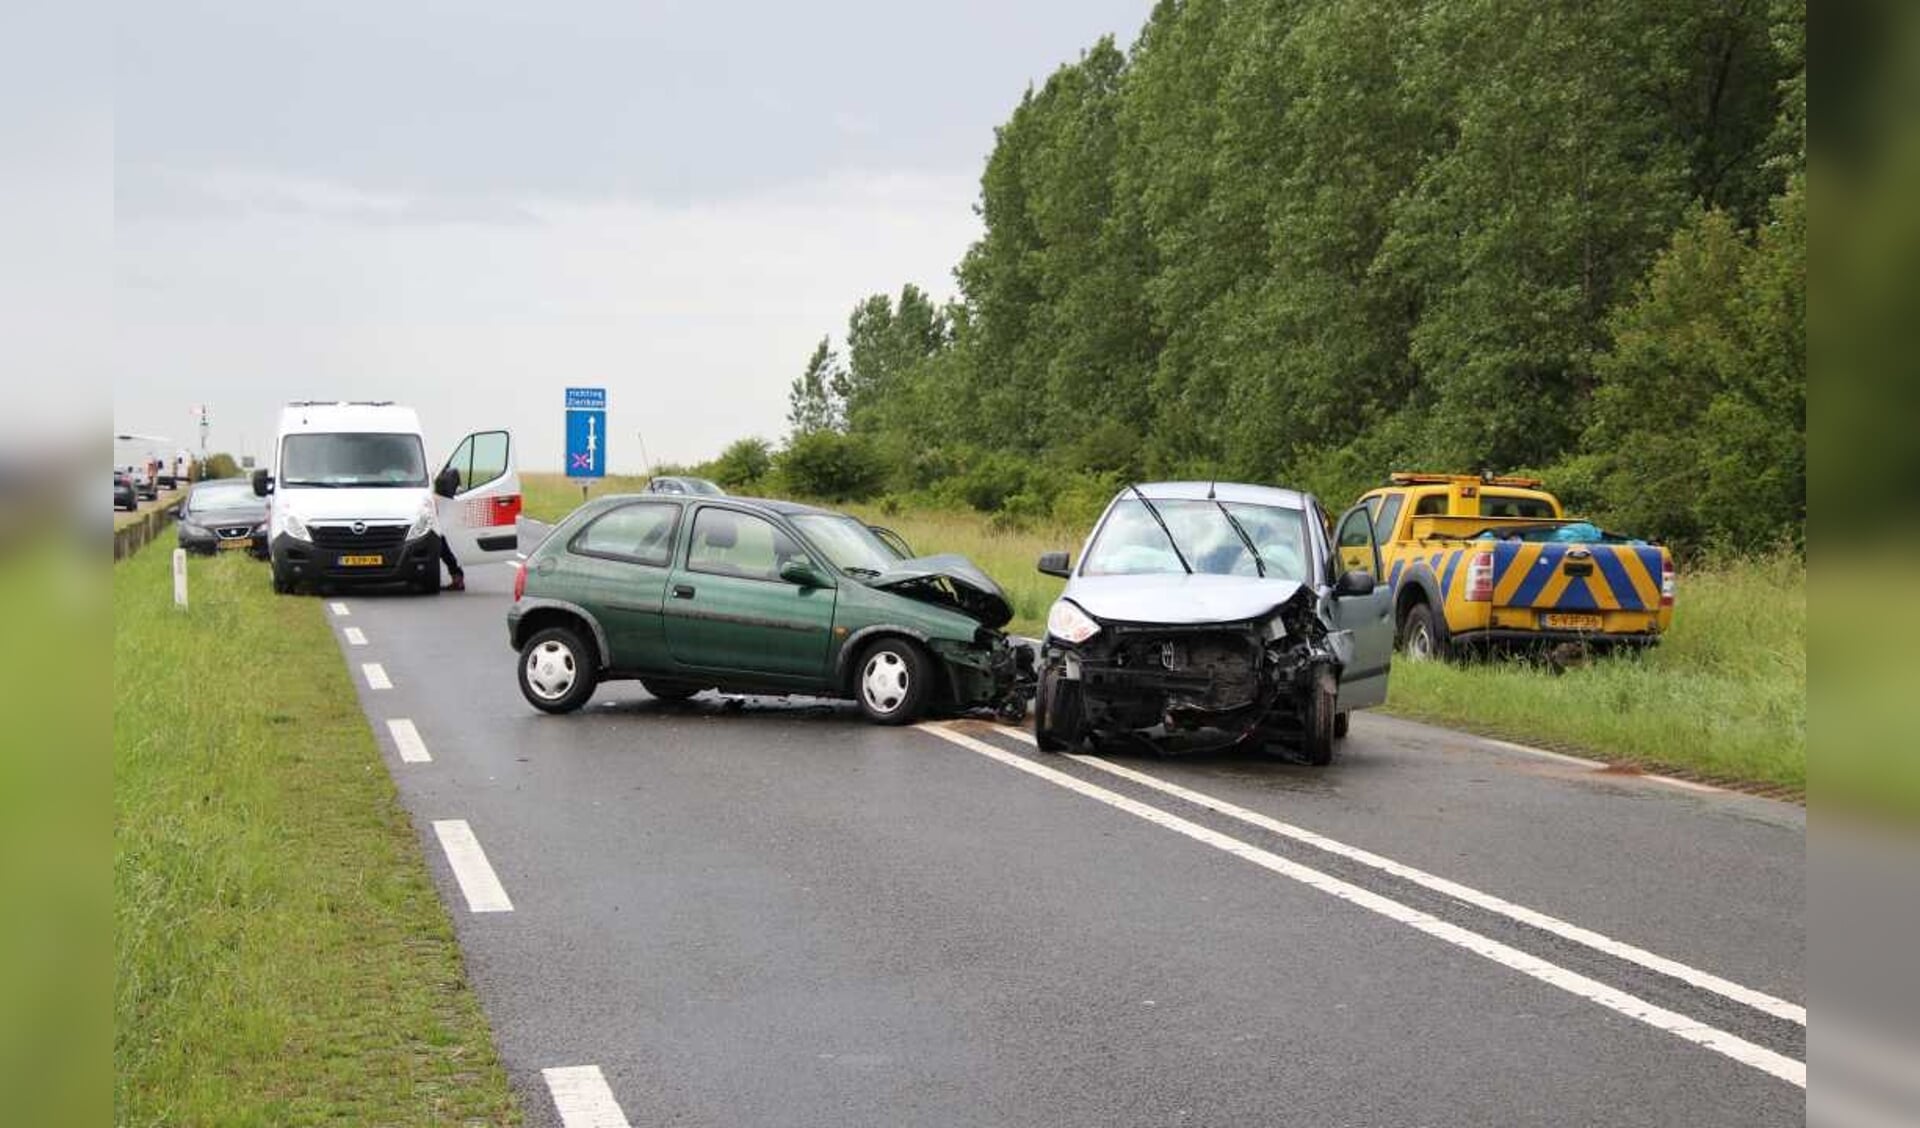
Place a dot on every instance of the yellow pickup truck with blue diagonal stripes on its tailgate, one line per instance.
(1497, 563)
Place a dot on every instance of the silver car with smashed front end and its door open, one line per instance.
(1211, 615)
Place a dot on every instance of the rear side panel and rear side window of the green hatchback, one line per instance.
(627, 557)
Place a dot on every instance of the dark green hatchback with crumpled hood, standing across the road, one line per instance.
(767, 598)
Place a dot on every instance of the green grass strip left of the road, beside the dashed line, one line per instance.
(281, 956)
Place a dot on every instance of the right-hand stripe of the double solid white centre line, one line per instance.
(1564, 929)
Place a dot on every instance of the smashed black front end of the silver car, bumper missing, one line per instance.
(1218, 680)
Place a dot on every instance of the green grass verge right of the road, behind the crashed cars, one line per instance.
(1725, 697)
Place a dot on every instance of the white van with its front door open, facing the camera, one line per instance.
(352, 502)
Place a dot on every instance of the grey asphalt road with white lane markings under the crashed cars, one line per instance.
(746, 914)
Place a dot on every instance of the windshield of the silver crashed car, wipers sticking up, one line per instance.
(1132, 542)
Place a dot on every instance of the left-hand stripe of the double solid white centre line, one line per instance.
(1548, 974)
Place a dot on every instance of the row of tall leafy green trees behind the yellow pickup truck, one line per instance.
(1316, 241)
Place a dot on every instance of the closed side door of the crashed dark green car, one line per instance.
(731, 613)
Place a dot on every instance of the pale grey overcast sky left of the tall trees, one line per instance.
(473, 206)
